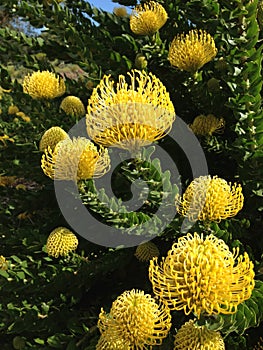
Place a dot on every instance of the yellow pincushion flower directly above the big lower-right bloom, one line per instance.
(210, 199)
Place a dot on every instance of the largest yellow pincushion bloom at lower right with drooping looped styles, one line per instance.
(202, 276)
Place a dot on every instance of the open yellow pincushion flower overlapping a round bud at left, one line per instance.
(76, 159)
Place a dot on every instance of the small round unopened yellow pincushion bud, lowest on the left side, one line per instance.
(61, 242)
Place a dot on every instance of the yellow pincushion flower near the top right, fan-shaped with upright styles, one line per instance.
(191, 51)
